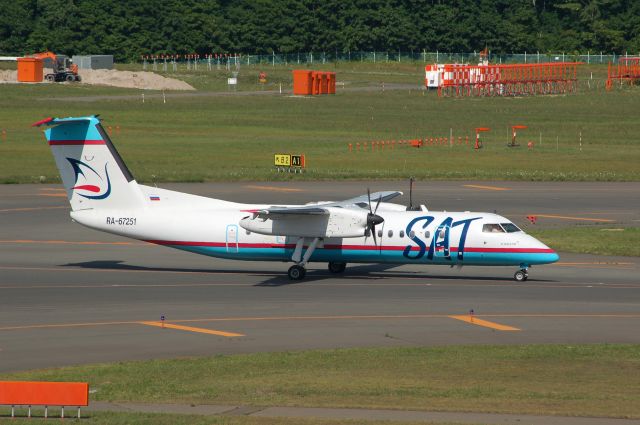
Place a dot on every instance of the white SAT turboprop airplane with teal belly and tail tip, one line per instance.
(104, 196)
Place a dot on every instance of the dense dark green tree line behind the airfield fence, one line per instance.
(129, 29)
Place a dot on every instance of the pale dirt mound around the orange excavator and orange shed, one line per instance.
(111, 77)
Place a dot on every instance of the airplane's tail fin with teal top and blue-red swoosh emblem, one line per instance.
(92, 171)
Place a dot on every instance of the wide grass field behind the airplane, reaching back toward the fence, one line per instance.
(209, 138)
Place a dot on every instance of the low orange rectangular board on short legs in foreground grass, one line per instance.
(27, 393)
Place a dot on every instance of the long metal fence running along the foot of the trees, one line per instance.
(309, 58)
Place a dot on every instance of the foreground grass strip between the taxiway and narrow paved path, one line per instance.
(589, 380)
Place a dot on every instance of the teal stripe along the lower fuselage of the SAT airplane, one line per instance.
(372, 256)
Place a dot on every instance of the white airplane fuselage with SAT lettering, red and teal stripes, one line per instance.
(212, 227)
